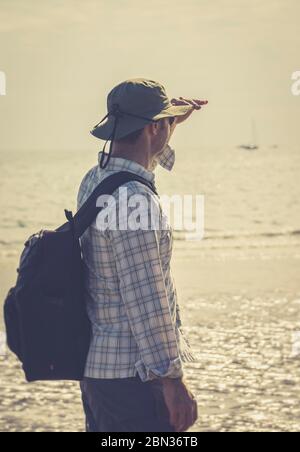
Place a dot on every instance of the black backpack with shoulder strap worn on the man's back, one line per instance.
(47, 326)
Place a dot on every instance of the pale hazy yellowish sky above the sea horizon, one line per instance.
(62, 57)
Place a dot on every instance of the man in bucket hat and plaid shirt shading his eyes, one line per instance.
(133, 376)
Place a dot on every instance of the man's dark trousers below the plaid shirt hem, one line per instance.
(124, 405)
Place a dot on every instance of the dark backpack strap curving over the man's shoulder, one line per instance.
(88, 211)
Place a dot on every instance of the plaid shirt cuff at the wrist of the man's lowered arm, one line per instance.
(171, 369)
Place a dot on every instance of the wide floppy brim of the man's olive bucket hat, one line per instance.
(129, 124)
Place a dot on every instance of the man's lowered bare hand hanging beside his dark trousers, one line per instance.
(181, 404)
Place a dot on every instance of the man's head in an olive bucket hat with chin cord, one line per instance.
(138, 110)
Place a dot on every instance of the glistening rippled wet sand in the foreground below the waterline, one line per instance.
(240, 310)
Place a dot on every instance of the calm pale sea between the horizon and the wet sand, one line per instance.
(251, 199)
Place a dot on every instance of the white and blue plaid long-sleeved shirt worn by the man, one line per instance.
(130, 293)
